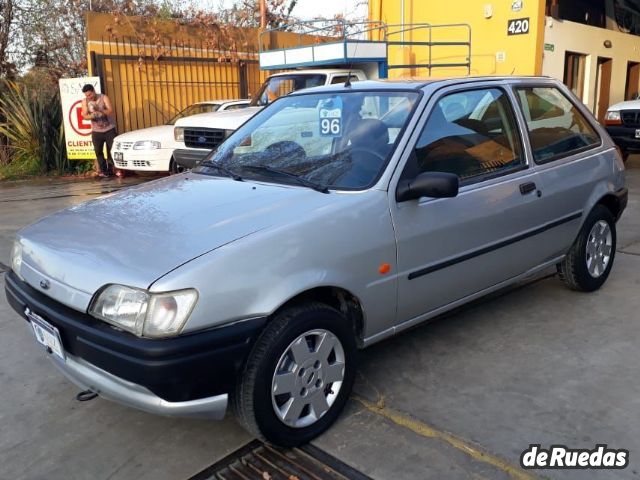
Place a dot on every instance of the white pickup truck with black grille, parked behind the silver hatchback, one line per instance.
(204, 132)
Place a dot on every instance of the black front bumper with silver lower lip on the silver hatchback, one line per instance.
(188, 375)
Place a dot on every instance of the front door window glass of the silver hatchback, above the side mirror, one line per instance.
(471, 134)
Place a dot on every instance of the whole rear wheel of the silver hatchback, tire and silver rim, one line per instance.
(588, 263)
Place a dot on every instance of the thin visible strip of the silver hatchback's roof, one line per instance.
(419, 83)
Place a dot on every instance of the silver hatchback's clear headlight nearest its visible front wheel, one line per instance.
(144, 313)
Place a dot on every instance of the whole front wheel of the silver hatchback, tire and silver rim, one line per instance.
(298, 376)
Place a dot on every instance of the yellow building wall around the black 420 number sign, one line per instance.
(493, 51)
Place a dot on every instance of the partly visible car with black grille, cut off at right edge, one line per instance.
(622, 122)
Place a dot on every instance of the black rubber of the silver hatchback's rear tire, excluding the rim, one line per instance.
(573, 269)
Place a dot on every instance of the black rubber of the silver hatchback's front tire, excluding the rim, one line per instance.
(252, 401)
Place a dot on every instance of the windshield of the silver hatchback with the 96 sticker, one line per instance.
(327, 140)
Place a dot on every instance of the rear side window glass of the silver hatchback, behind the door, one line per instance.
(556, 127)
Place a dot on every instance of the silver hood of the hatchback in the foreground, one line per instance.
(137, 235)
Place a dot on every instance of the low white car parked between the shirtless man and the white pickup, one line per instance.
(151, 149)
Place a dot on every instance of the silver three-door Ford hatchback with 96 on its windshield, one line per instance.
(334, 218)
